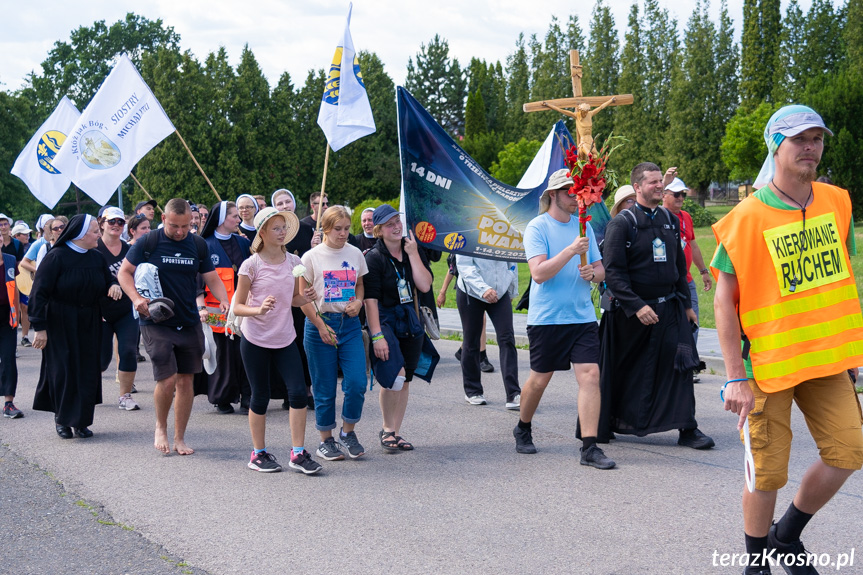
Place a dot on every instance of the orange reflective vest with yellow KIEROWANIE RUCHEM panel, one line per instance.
(804, 329)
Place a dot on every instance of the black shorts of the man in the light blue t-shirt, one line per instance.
(557, 347)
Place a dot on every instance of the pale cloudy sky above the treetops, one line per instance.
(294, 36)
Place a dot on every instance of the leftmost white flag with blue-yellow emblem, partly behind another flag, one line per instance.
(35, 163)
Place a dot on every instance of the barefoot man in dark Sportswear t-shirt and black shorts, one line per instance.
(175, 345)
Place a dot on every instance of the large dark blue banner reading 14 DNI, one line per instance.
(453, 205)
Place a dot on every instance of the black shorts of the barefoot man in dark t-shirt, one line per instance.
(173, 350)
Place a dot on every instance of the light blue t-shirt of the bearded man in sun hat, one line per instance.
(565, 298)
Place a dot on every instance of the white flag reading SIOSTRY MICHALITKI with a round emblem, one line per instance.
(121, 124)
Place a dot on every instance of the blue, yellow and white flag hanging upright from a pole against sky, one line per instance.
(345, 114)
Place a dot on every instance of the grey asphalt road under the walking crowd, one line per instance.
(463, 502)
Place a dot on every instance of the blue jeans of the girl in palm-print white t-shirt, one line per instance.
(324, 361)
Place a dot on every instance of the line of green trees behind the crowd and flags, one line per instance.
(701, 101)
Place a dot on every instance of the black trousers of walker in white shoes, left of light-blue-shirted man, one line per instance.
(471, 311)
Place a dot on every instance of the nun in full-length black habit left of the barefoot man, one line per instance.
(65, 313)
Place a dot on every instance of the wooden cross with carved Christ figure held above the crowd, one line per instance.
(582, 104)
